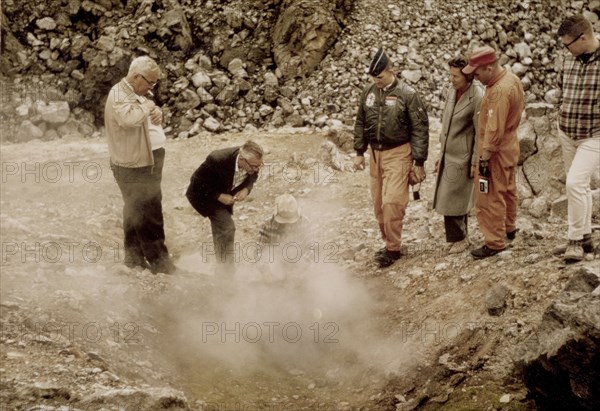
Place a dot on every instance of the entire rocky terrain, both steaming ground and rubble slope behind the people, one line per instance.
(323, 329)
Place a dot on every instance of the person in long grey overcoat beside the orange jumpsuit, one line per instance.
(453, 196)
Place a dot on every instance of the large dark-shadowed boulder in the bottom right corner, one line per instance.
(560, 363)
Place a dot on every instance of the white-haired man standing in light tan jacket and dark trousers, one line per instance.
(136, 145)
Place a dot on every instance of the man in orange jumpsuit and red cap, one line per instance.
(497, 149)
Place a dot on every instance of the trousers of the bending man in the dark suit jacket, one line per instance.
(223, 231)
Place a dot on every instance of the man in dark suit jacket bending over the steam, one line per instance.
(223, 179)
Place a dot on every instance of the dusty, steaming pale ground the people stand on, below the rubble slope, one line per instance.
(80, 330)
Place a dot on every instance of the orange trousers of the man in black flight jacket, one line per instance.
(389, 189)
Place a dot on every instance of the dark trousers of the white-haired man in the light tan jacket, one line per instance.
(142, 210)
